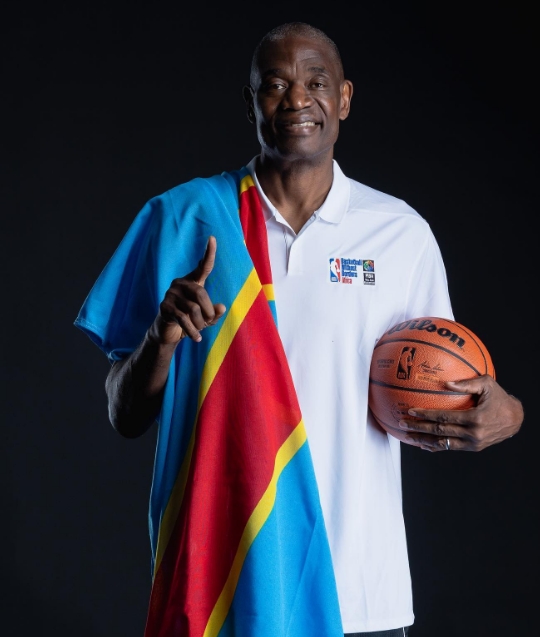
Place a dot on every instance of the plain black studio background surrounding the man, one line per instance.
(105, 106)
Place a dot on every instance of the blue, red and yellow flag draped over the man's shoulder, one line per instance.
(239, 542)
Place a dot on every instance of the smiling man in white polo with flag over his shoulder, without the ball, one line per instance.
(240, 313)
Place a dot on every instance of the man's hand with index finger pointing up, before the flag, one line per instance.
(186, 308)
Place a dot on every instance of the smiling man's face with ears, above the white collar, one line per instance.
(297, 98)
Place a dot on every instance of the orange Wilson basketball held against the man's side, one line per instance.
(413, 359)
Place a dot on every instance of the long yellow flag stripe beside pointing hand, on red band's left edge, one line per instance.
(236, 314)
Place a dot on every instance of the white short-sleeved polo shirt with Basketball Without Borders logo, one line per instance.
(363, 262)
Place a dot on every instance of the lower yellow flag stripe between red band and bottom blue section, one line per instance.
(255, 523)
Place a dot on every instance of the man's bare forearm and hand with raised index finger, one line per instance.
(135, 385)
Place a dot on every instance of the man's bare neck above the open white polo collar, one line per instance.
(296, 188)
